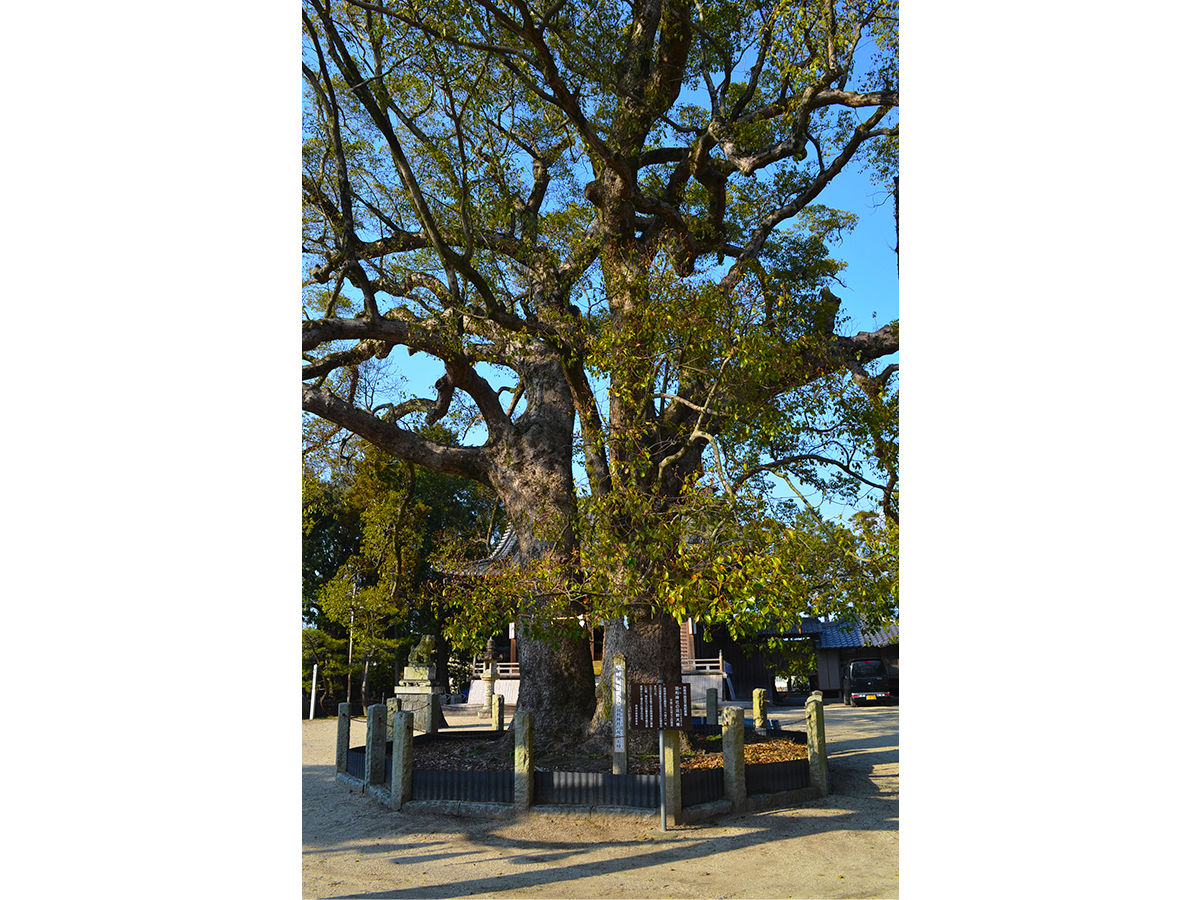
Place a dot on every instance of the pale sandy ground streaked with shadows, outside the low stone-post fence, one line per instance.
(845, 845)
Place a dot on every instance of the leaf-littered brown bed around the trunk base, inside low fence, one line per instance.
(496, 754)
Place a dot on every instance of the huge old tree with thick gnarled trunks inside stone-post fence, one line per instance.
(602, 217)
